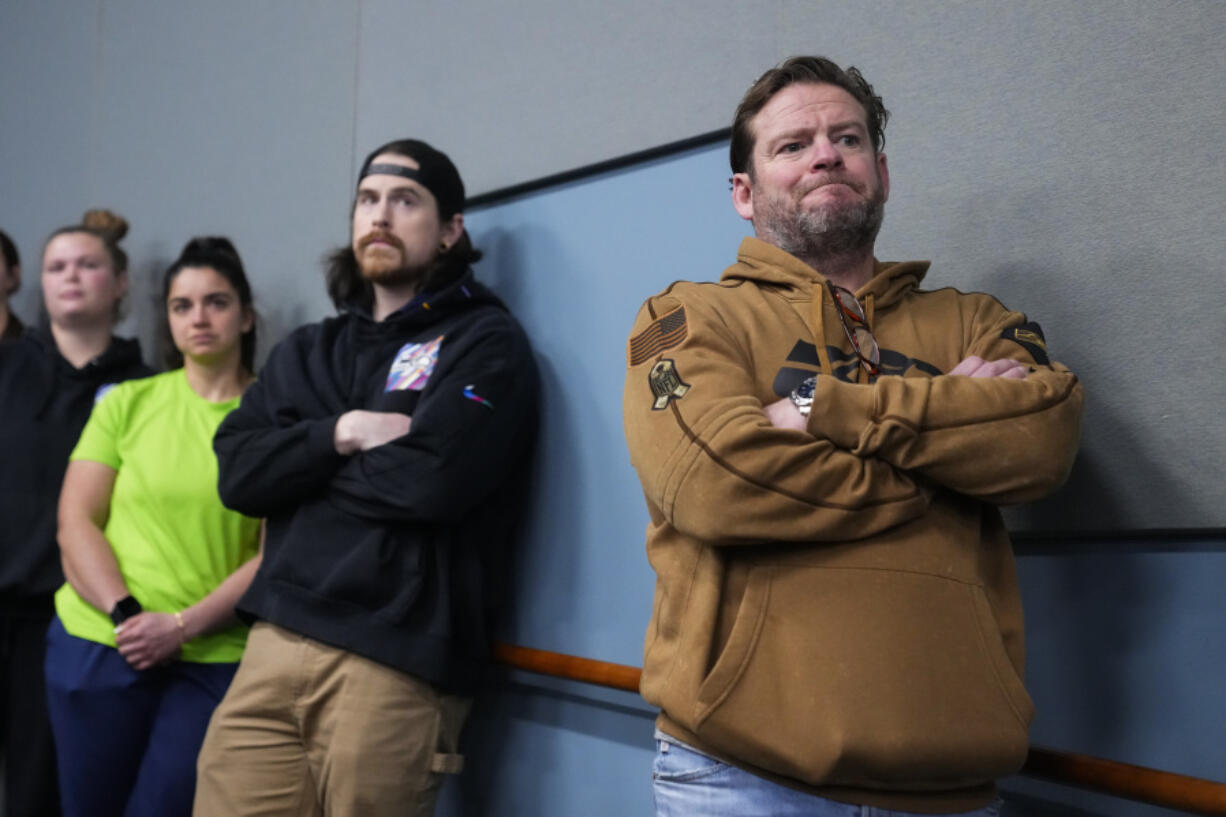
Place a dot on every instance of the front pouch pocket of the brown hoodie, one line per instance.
(866, 678)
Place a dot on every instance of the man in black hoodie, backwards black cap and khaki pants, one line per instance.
(387, 448)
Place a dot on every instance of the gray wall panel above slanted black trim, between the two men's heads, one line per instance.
(519, 91)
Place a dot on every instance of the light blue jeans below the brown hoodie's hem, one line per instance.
(691, 784)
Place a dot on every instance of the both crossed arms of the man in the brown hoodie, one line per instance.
(729, 467)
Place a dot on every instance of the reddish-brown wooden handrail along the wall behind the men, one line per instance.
(1138, 783)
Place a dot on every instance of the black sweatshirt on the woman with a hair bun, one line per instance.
(45, 404)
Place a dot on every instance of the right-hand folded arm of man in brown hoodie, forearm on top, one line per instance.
(1002, 426)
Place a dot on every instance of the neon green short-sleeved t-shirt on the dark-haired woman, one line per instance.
(172, 537)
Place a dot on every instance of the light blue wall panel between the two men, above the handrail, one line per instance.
(576, 263)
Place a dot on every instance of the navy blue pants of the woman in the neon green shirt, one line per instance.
(127, 742)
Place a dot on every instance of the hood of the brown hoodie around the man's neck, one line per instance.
(764, 263)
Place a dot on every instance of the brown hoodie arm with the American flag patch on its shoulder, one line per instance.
(715, 467)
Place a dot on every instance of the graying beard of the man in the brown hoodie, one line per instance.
(833, 230)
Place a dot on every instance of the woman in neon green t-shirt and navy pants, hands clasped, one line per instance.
(147, 640)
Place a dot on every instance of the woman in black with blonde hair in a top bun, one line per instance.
(50, 380)
